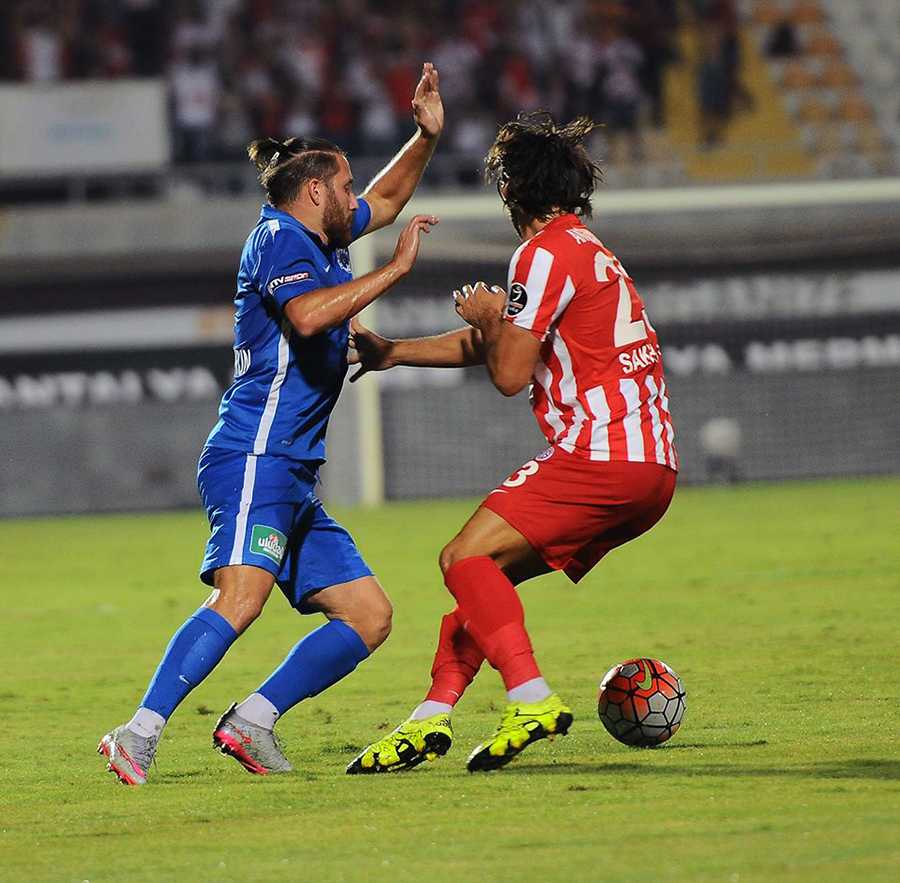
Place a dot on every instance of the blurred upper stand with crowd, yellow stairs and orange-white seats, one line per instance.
(718, 89)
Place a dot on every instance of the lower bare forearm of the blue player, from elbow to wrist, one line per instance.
(328, 308)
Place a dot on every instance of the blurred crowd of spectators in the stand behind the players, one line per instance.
(346, 69)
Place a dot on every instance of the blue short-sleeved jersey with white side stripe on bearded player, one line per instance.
(285, 386)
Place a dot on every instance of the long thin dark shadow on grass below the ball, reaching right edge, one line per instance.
(836, 769)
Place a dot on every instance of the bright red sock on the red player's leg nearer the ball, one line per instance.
(491, 612)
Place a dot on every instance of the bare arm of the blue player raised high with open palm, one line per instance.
(392, 187)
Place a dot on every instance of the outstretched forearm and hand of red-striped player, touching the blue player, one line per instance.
(455, 349)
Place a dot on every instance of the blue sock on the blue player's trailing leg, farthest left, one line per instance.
(194, 651)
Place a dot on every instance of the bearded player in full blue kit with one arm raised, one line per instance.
(295, 298)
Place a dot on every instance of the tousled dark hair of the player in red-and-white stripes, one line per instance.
(541, 167)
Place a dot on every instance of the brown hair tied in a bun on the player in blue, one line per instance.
(285, 166)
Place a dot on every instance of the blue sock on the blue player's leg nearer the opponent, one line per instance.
(321, 659)
